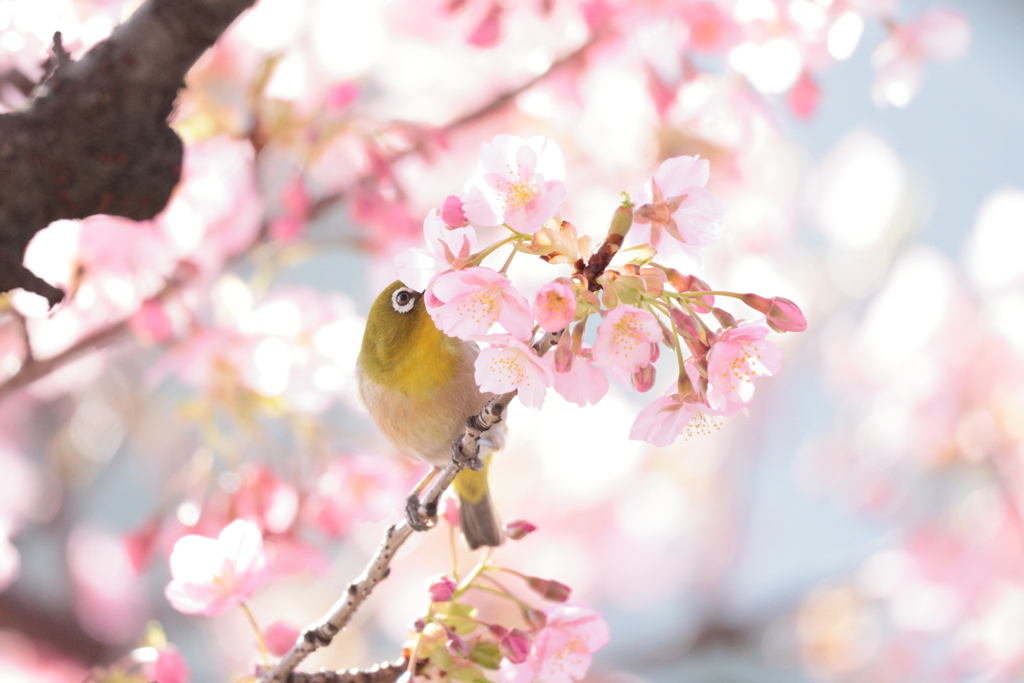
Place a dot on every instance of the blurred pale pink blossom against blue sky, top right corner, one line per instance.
(941, 34)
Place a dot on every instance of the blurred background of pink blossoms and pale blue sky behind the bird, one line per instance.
(862, 523)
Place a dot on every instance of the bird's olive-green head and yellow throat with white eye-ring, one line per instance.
(402, 348)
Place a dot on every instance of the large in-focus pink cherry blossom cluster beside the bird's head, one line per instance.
(627, 285)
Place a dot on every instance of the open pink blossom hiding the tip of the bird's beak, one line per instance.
(466, 304)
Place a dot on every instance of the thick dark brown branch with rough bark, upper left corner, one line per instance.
(96, 139)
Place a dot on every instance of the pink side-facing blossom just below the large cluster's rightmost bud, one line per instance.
(734, 362)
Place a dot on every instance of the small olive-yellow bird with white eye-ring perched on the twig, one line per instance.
(419, 387)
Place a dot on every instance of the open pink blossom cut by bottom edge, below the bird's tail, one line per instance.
(563, 650)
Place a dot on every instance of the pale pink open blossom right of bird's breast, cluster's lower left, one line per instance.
(508, 365)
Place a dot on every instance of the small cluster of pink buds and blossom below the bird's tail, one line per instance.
(552, 644)
